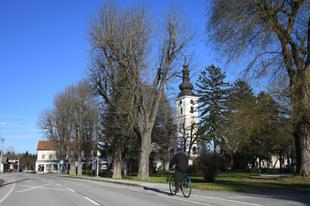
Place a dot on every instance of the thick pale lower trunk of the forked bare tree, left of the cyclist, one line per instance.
(146, 148)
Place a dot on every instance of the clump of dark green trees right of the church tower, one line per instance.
(245, 129)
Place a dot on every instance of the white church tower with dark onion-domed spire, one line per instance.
(187, 115)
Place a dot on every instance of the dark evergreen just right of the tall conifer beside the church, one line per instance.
(239, 124)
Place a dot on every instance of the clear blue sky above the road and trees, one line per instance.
(44, 48)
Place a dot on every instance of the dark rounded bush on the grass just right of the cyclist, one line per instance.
(209, 164)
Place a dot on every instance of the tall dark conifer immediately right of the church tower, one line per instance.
(212, 91)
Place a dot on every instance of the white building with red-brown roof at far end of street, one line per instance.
(47, 161)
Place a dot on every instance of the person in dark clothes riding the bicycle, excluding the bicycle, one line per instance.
(180, 161)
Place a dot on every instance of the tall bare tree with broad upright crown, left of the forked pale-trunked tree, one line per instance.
(119, 42)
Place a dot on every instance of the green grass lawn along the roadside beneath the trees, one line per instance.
(242, 182)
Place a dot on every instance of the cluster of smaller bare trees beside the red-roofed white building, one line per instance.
(72, 123)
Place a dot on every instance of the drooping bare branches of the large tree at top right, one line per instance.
(261, 27)
